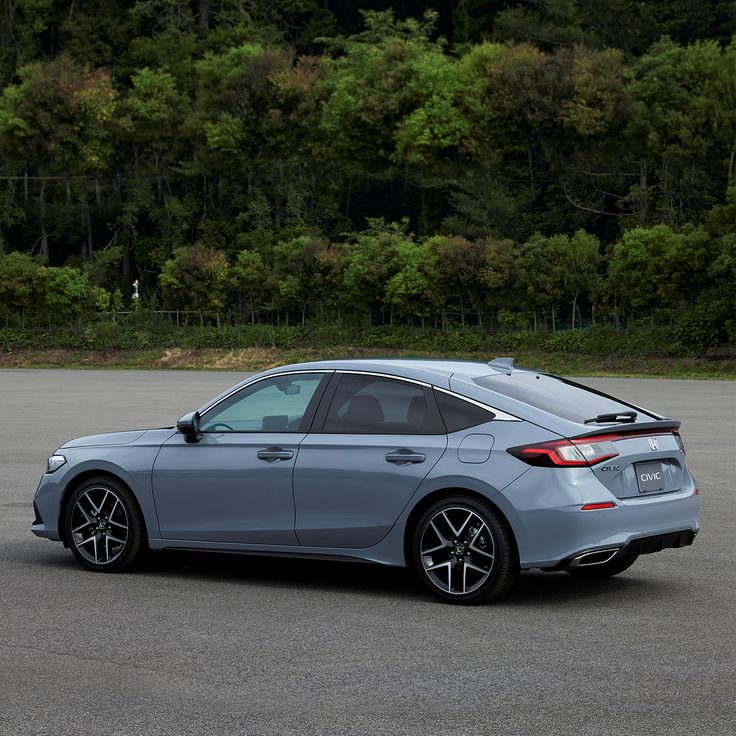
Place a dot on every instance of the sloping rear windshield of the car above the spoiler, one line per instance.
(557, 396)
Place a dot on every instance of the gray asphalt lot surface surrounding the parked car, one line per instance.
(210, 644)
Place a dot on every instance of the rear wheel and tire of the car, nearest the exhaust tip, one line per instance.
(463, 552)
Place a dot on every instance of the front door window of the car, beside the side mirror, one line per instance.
(276, 404)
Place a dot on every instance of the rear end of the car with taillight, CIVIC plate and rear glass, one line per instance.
(611, 480)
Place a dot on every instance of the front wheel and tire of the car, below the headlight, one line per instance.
(104, 526)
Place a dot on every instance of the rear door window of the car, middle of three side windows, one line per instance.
(374, 405)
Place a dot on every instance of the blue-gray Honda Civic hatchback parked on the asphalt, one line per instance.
(467, 472)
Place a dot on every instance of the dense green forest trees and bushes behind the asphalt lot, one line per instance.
(520, 164)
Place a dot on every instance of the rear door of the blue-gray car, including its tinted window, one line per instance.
(377, 438)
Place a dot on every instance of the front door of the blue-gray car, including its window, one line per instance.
(235, 484)
